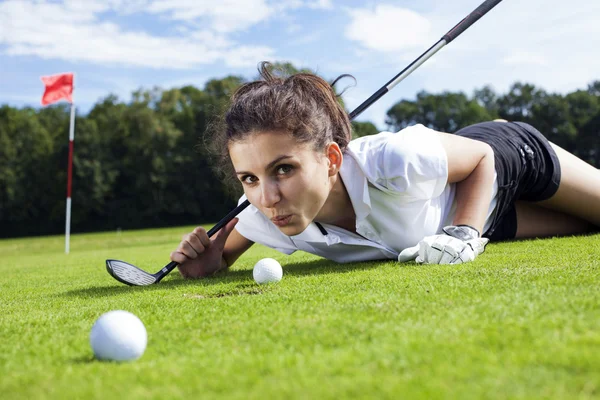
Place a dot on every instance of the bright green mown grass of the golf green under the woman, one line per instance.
(521, 322)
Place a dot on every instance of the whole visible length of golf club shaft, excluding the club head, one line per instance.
(447, 38)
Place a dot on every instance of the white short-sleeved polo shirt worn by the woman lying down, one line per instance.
(397, 183)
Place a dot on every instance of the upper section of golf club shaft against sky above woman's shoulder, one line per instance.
(447, 38)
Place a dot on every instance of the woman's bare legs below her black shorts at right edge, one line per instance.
(574, 208)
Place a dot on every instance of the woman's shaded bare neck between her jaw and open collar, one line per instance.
(338, 209)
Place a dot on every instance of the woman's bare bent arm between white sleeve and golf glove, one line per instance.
(471, 167)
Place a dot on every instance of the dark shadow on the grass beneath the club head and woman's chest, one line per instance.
(241, 276)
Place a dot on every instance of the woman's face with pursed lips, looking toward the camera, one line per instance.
(287, 181)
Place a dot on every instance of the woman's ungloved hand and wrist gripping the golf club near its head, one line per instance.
(198, 255)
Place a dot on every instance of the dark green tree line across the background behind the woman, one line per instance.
(142, 163)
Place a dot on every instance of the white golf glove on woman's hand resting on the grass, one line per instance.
(460, 244)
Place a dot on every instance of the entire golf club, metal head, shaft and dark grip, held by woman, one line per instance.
(131, 275)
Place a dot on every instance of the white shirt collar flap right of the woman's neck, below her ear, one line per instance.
(356, 184)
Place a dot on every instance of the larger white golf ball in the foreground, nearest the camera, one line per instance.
(118, 336)
